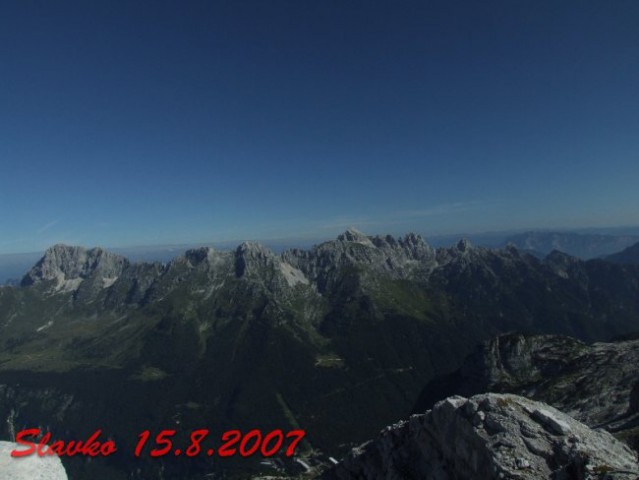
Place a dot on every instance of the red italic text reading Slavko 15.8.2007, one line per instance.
(199, 443)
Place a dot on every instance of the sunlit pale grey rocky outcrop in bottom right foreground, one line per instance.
(490, 436)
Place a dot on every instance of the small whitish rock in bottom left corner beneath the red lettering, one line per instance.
(29, 468)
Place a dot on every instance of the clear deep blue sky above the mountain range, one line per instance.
(150, 122)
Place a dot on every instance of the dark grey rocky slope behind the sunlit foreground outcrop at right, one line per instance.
(597, 384)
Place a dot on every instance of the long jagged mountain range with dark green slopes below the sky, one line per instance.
(338, 340)
